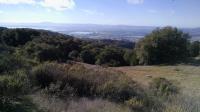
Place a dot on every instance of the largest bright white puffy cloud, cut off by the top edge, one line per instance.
(58, 4)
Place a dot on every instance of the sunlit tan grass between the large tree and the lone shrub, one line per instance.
(187, 77)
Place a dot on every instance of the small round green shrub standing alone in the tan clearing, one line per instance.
(163, 87)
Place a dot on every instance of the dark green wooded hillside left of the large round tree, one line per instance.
(41, 46)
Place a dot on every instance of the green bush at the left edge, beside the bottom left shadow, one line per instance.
(12, 86)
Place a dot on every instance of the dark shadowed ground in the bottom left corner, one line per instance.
(19, 105)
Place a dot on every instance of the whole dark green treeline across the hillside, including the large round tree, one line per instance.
(163, 46)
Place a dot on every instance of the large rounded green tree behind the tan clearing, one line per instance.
(163, 46)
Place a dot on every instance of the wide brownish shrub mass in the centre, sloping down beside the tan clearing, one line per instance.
(103, 83)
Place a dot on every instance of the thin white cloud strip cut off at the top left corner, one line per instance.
(17, 1)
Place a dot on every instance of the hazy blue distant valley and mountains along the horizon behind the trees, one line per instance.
(95, 31)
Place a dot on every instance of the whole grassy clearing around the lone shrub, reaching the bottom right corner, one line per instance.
(186, 77)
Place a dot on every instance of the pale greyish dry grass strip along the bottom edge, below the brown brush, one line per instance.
(51, 104)
